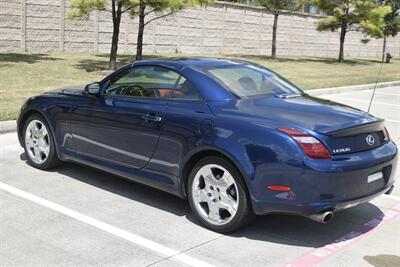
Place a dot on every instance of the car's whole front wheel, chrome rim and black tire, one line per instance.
(39, 143)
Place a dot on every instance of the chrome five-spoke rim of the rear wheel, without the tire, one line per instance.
(215, 194)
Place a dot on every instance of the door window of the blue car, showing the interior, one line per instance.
(145, 81)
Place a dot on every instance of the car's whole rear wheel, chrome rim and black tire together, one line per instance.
(218, 195)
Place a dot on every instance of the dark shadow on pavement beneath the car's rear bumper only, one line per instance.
(296, 230)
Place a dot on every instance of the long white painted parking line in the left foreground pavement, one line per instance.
(135, 239)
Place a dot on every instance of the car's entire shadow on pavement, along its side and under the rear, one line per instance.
(274, 228)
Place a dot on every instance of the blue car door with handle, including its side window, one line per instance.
(122, 125)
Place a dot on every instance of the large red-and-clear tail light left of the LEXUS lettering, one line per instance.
(311, 146)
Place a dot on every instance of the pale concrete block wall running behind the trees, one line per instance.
(41, 26)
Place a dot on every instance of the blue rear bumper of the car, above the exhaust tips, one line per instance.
(331, 186)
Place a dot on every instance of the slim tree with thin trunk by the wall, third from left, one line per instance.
(276, 8)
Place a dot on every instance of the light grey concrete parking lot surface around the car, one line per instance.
(75, 215)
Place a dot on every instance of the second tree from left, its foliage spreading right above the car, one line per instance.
(156, 9)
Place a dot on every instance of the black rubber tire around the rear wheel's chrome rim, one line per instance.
(244, 213)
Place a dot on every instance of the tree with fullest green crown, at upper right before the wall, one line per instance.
(352, 15)
